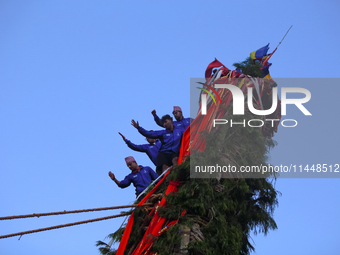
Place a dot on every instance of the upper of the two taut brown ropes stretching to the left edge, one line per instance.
(66, 212)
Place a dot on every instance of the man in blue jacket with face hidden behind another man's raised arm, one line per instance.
(151, 149)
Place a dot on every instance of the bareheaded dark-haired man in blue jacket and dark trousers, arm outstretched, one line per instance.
(170, 138)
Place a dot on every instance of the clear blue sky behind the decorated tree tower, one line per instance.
(74, 73)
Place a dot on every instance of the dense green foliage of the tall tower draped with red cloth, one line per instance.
(221, 212)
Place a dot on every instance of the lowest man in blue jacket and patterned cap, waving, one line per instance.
(140, 176)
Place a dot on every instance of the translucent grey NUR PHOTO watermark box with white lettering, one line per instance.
(236, 119)
